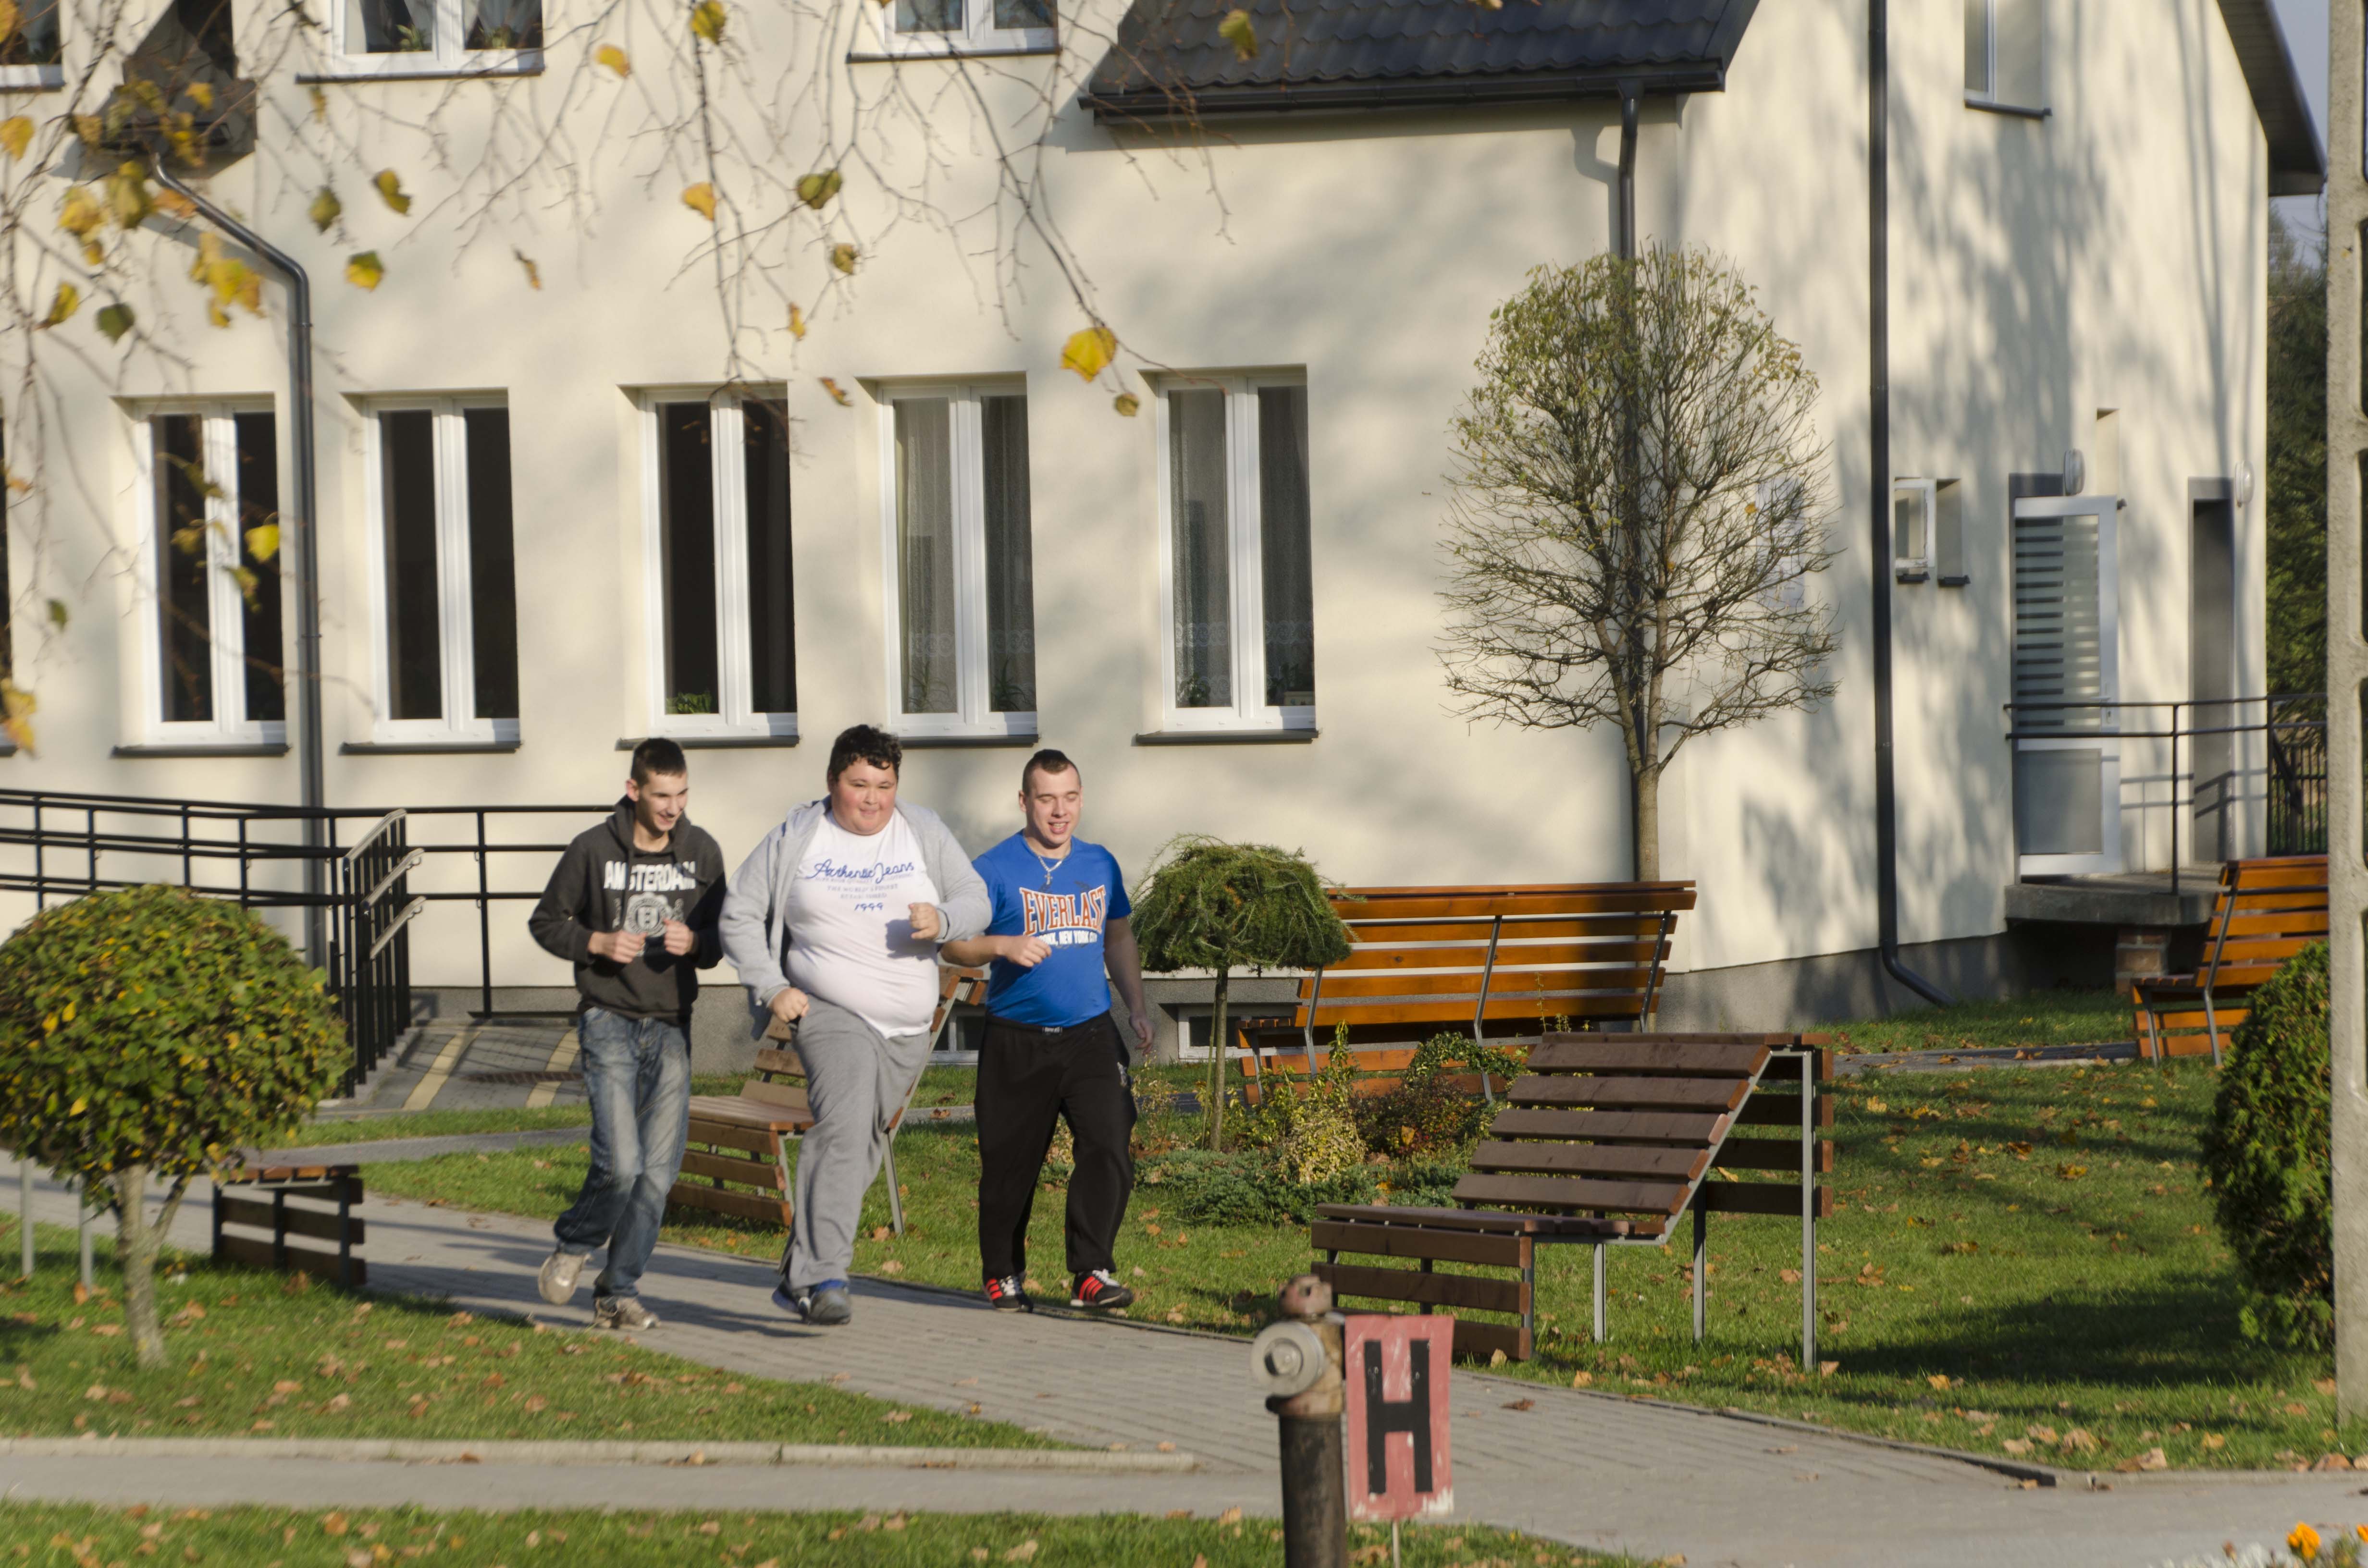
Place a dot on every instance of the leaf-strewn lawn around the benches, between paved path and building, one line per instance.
(2021, 1254)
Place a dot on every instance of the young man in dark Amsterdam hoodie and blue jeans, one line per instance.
(633, 906)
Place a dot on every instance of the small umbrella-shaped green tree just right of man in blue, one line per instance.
(1218, 906)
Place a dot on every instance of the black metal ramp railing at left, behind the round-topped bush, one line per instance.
(60, 847)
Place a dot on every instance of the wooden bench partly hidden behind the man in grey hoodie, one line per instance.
(740, 1143)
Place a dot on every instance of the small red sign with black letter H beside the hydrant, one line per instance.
(1398, 1460)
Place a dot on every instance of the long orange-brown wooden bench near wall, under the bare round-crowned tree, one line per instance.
(1493, 963)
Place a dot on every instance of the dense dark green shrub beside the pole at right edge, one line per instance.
(2267, 1155)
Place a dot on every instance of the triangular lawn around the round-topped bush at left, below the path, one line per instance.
(262, 1354)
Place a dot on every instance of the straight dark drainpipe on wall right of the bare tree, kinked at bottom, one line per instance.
(1879, 335)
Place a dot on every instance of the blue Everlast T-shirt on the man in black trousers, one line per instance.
(1064, 906)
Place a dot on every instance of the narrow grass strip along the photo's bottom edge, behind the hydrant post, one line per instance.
(288, 1538)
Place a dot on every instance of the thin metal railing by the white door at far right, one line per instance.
(2293, 724)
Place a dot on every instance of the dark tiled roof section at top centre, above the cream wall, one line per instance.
(1171, 60)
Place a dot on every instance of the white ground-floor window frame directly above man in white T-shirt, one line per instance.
(974, 716)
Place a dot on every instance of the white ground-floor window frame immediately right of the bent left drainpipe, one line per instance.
(456, 619)
